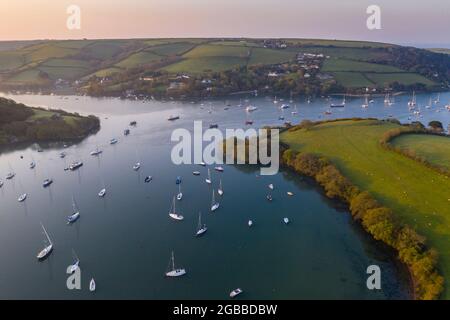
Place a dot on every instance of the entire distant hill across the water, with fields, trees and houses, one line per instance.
(123, 63)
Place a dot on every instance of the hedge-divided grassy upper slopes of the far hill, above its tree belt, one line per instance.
(352, 64)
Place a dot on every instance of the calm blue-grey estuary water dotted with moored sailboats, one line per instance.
(124, 240)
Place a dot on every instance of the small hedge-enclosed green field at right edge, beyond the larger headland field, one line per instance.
(435, 149)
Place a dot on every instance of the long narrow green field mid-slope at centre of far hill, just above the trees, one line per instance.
(206, 64)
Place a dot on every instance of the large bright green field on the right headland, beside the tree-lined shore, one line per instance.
(418, 195)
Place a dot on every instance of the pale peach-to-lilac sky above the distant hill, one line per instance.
(424, 23)
